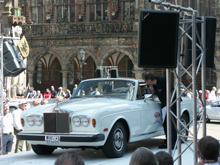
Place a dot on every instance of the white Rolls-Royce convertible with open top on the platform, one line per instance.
(104, 113)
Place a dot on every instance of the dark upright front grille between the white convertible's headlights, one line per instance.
(56, 123)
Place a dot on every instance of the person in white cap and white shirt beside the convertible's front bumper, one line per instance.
(18, 127)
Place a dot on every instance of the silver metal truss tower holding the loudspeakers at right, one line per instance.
(180, 71)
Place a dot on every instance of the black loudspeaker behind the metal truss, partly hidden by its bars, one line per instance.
(210, 43)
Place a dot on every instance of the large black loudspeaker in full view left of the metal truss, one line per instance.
(158, 39)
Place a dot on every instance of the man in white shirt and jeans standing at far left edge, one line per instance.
(7, 130)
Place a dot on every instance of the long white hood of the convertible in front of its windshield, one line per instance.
(81, 104)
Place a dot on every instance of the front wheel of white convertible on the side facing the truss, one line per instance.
(115, 146)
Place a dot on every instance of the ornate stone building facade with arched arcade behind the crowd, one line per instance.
(107, 30)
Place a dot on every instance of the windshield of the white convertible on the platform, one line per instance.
(122, 89)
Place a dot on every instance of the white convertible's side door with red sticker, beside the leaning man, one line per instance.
(150, 116)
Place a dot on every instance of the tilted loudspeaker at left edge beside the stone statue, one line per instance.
(12, 59)
